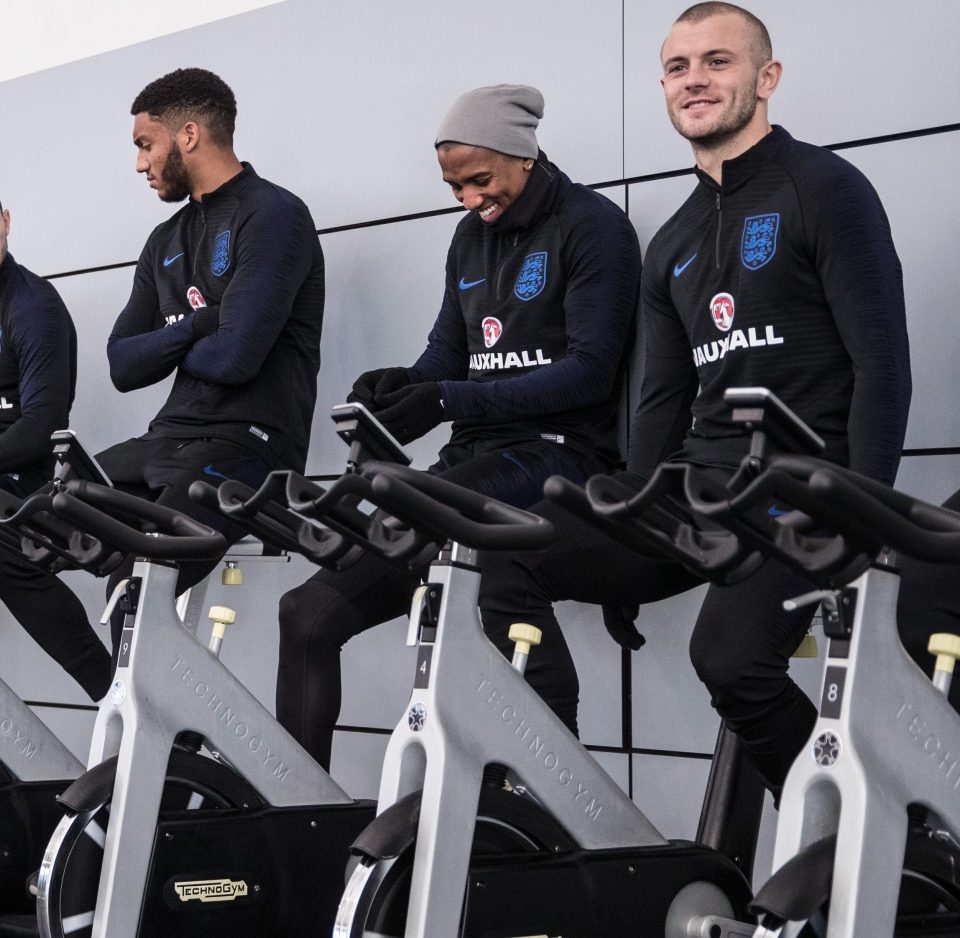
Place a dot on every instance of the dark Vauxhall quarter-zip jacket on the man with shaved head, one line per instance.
(785, 277)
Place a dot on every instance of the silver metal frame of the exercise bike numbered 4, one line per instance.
(469, 708)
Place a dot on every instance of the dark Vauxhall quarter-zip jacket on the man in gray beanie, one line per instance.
(537, 315)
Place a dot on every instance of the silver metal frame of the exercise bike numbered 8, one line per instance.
(885, 738)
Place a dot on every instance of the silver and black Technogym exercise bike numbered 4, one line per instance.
(493, 820)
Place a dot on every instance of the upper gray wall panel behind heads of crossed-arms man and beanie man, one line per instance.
(340, 104)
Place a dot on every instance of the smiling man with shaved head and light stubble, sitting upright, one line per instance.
(779, 270)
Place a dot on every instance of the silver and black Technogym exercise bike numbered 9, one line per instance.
(159, 839)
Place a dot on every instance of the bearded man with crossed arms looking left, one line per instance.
(227, 295)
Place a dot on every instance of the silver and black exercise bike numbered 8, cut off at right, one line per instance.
(886, 735)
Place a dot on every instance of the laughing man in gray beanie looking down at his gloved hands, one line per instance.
(525, 358)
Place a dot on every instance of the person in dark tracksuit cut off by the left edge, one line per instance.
(38, 379)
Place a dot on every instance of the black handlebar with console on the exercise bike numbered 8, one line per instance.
(820, 518)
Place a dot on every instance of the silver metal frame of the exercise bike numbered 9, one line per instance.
(167, 682)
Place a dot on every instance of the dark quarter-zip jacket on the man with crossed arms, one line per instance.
(229, 293)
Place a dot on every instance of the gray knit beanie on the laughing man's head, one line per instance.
(502, 118)
